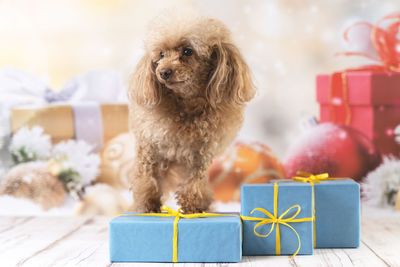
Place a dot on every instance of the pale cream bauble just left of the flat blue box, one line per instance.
(101, 199)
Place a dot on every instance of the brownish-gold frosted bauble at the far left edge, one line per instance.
(34, 181)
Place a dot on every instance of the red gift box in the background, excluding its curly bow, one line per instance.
(368, 101)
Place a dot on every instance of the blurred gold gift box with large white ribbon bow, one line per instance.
(90, 107)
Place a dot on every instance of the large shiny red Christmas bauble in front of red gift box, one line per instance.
(338, 150)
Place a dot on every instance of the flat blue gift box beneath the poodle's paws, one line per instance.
(150, 239)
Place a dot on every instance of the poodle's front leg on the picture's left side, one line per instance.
(145, 181)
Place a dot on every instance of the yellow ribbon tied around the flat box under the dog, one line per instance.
(168, 212)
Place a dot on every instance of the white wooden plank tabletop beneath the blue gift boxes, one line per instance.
(82, 241)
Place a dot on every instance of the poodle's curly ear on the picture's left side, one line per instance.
(144, 88)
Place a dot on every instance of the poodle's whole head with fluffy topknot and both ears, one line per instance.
(193, 57)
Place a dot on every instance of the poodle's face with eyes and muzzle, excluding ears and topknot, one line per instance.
(182, 67)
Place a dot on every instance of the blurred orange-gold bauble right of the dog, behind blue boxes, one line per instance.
(242, 164)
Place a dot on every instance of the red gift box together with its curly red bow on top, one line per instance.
(367, 98)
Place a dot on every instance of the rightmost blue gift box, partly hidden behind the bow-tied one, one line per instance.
(337, 214)
